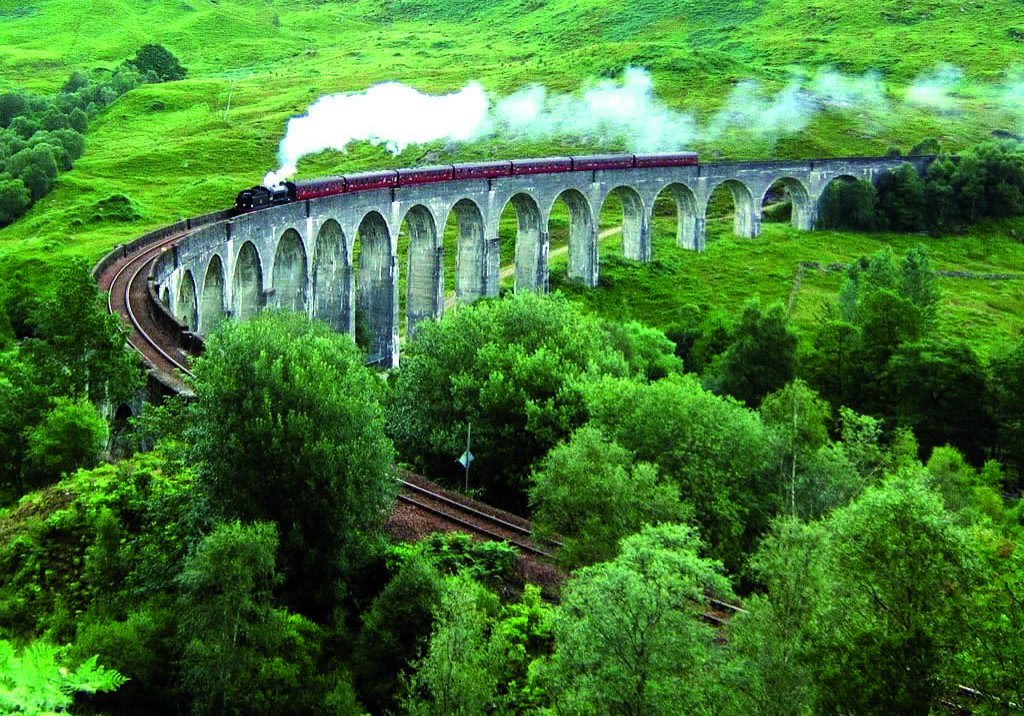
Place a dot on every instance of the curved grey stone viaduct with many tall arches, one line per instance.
(326, 257)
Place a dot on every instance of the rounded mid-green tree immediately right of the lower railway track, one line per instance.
(588, 492)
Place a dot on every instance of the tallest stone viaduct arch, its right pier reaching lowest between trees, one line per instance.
(377, 286)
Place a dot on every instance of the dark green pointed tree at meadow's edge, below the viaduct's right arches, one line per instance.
(761, 358)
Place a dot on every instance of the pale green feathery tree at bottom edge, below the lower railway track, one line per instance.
(627, 641)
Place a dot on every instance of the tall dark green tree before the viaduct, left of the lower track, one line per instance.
(287, 428)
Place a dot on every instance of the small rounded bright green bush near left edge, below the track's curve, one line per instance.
(71, 436)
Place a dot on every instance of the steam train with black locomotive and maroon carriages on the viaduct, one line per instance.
(287, 192)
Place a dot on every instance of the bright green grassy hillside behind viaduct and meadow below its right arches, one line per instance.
(186, 148)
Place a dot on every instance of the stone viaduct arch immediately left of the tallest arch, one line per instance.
(332, 279)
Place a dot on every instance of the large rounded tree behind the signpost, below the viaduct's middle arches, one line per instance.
(511, 368)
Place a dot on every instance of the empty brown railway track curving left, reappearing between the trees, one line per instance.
(125, 276)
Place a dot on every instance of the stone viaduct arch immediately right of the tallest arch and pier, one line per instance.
(425, 269)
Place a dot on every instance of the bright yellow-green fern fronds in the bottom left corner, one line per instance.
(33, 683)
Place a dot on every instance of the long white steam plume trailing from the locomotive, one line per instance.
(608, 111)
